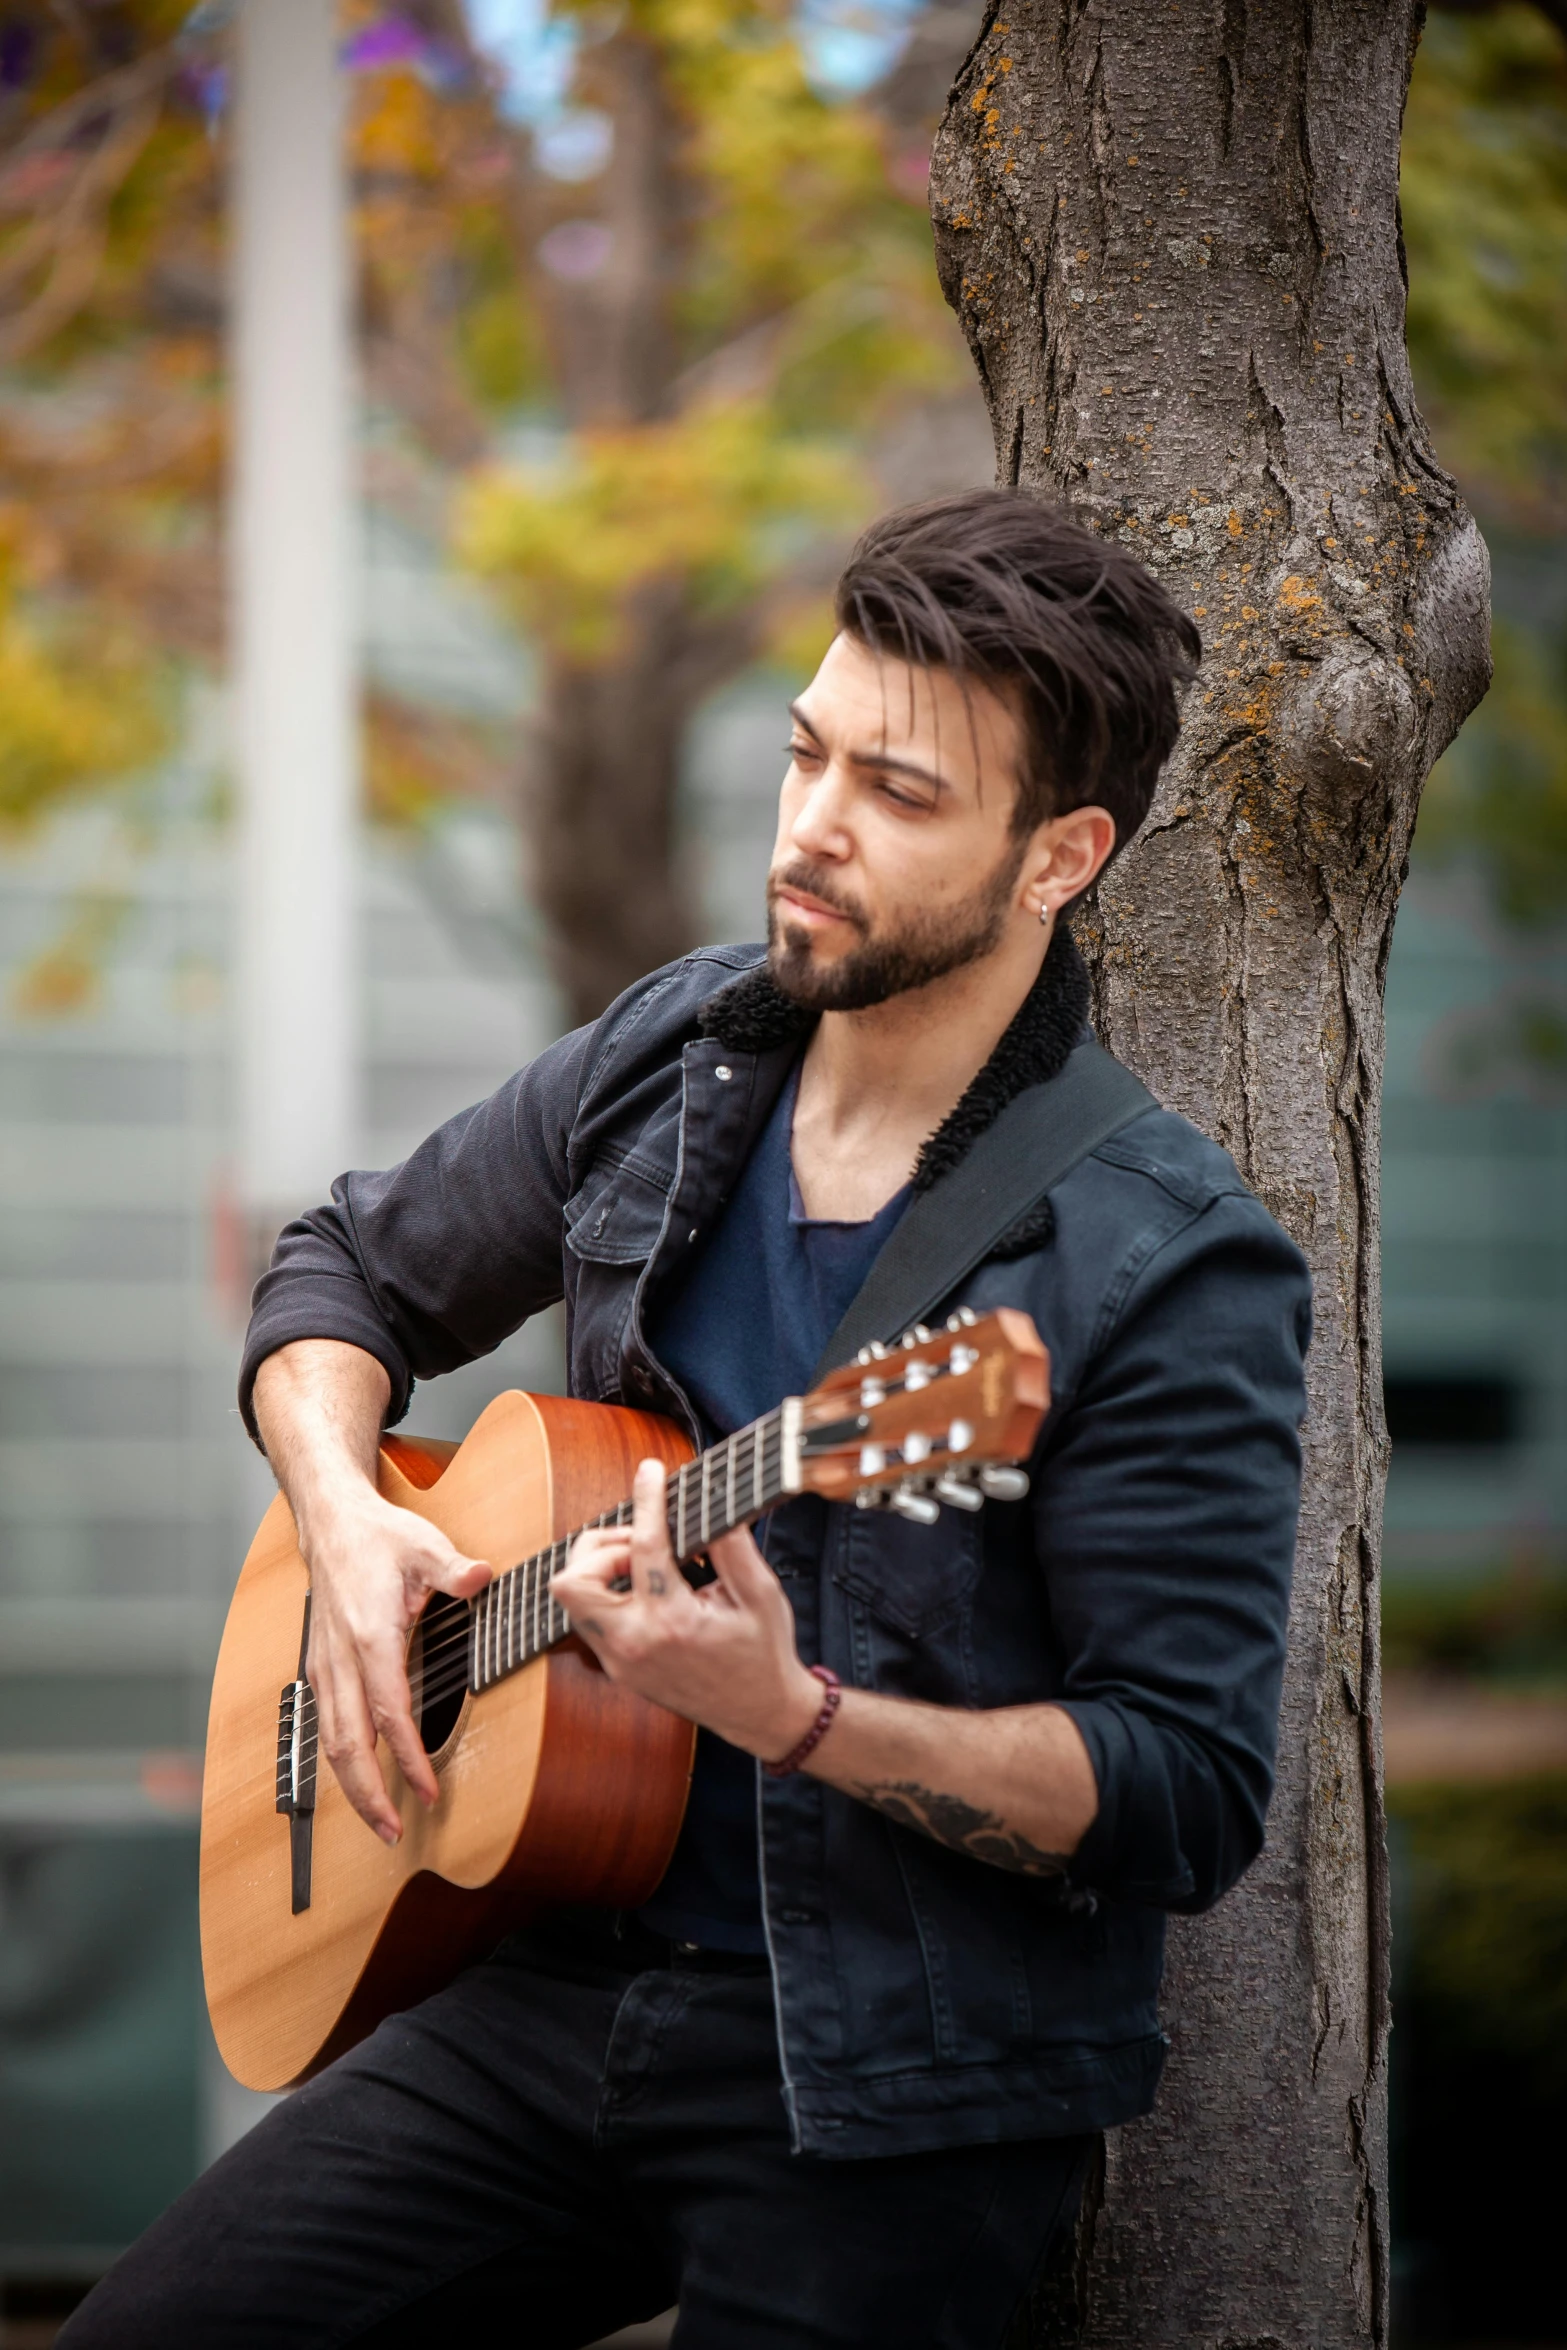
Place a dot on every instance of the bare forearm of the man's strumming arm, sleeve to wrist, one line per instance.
(321, 1406)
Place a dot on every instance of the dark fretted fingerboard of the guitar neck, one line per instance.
(518, 1616)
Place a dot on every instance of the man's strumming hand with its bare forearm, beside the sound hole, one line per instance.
(372, 1566)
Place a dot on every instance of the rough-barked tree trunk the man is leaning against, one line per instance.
(1173, 243)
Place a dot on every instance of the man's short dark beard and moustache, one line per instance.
(913, 953)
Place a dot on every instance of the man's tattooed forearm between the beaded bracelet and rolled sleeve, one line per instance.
(1009, 1787)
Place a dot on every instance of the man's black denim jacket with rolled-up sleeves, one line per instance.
(924, 1999)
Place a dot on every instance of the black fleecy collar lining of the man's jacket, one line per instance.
(755, 1016)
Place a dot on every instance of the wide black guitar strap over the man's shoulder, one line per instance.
(948, 1230)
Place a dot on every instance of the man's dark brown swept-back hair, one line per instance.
(1011, 593)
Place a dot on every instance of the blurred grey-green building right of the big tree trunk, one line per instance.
(1474, 1244)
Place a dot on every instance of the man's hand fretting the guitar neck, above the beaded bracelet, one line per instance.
(722, 1658)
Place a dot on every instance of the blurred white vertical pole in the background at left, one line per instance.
(292, 617)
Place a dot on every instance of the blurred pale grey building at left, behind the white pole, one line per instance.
(128, 1489)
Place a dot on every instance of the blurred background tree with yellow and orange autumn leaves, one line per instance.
(690, 283)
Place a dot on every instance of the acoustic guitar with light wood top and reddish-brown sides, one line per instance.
(556, 1782)
